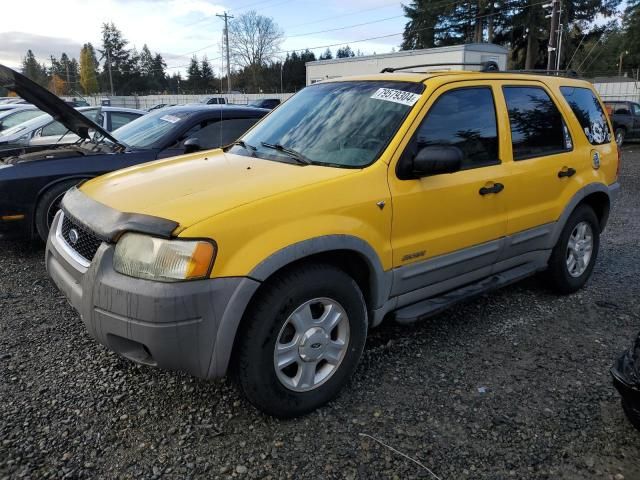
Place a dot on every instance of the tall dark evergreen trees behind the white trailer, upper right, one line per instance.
(523, 26)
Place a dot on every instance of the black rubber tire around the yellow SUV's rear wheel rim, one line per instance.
(558, 276)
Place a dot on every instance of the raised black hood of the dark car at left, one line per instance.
(46, 101)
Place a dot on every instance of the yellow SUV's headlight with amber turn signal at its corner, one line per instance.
(153, 258)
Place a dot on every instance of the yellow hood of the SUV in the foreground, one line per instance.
(191, 188)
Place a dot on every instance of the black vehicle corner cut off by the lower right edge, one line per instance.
(626, 378)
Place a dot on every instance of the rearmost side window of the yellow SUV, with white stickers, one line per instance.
(587, 109)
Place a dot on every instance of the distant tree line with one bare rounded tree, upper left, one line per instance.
(115, 68)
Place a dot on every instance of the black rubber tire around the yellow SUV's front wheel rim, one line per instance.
(254, 365)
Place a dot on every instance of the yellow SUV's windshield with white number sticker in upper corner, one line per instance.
(342, 124)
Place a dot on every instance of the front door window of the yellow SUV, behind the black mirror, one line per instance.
(465, 118)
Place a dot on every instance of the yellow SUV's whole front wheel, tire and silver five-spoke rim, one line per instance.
(301, 340)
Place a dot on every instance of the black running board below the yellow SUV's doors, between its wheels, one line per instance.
(431, 306)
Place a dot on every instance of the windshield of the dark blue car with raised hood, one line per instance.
(150, 130)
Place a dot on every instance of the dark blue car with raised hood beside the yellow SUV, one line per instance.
(33, 184)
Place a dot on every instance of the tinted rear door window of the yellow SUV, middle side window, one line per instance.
(537, 126)
